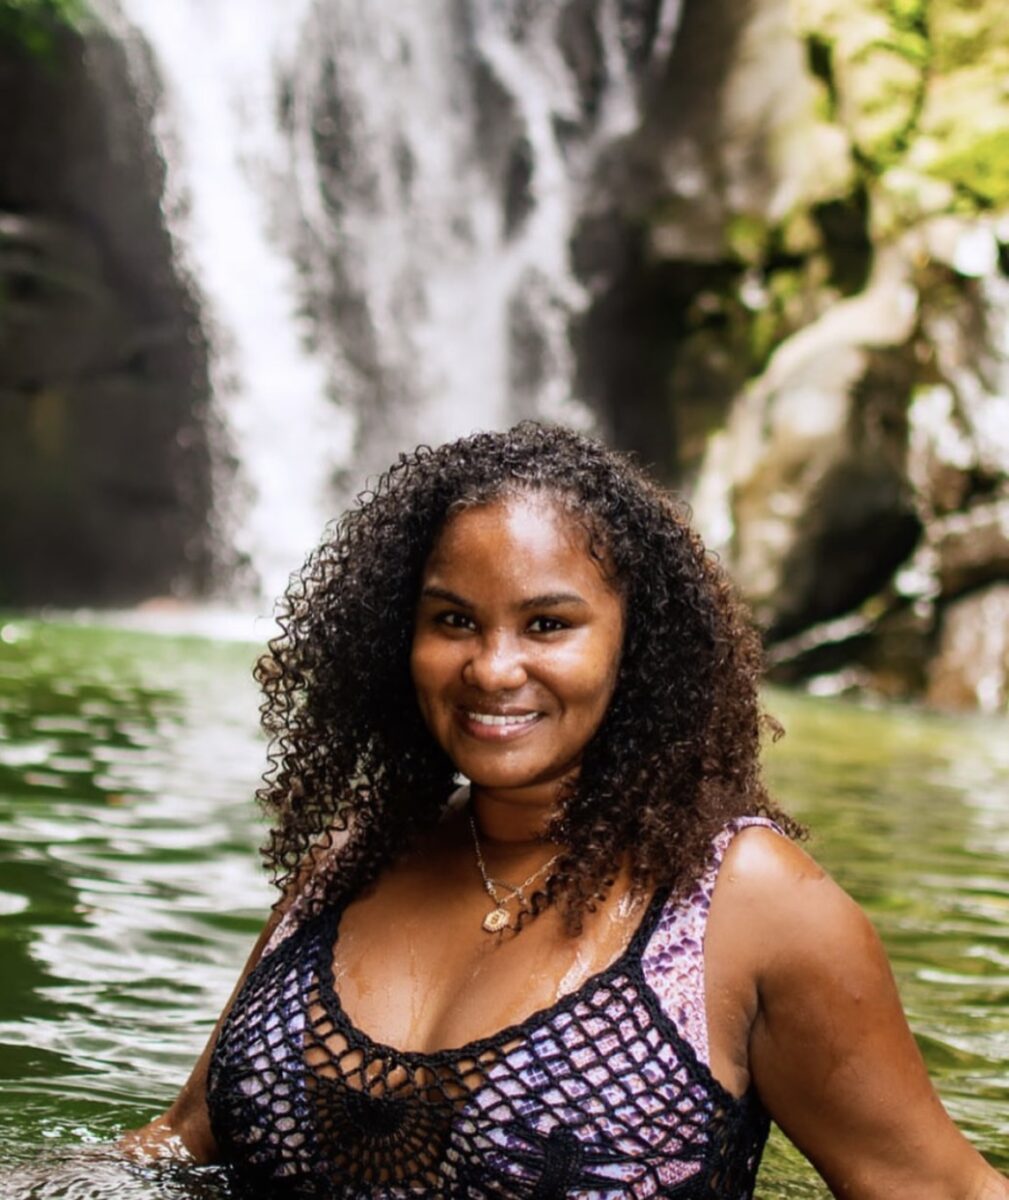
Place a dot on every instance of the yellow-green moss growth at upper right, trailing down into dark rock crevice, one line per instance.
(910, 98)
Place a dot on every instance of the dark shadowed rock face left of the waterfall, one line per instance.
(105, 465)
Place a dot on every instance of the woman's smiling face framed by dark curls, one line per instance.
(516, 645)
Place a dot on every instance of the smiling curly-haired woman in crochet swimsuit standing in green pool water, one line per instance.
(603, 965)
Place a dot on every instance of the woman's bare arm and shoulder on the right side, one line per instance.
(831, 1052)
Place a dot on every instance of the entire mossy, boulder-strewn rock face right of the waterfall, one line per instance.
(858, 488)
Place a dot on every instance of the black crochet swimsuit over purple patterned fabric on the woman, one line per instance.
(605, 1094)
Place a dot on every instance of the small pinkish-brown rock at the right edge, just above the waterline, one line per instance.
(971, 669)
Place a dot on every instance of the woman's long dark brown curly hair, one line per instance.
(677, 754)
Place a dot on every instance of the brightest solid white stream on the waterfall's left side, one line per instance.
(215, 124)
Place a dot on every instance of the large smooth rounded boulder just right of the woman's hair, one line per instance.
(804, 494)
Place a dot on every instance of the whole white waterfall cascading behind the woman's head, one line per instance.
(376, 205)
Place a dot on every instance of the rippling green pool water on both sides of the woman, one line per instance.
(130, 890)
